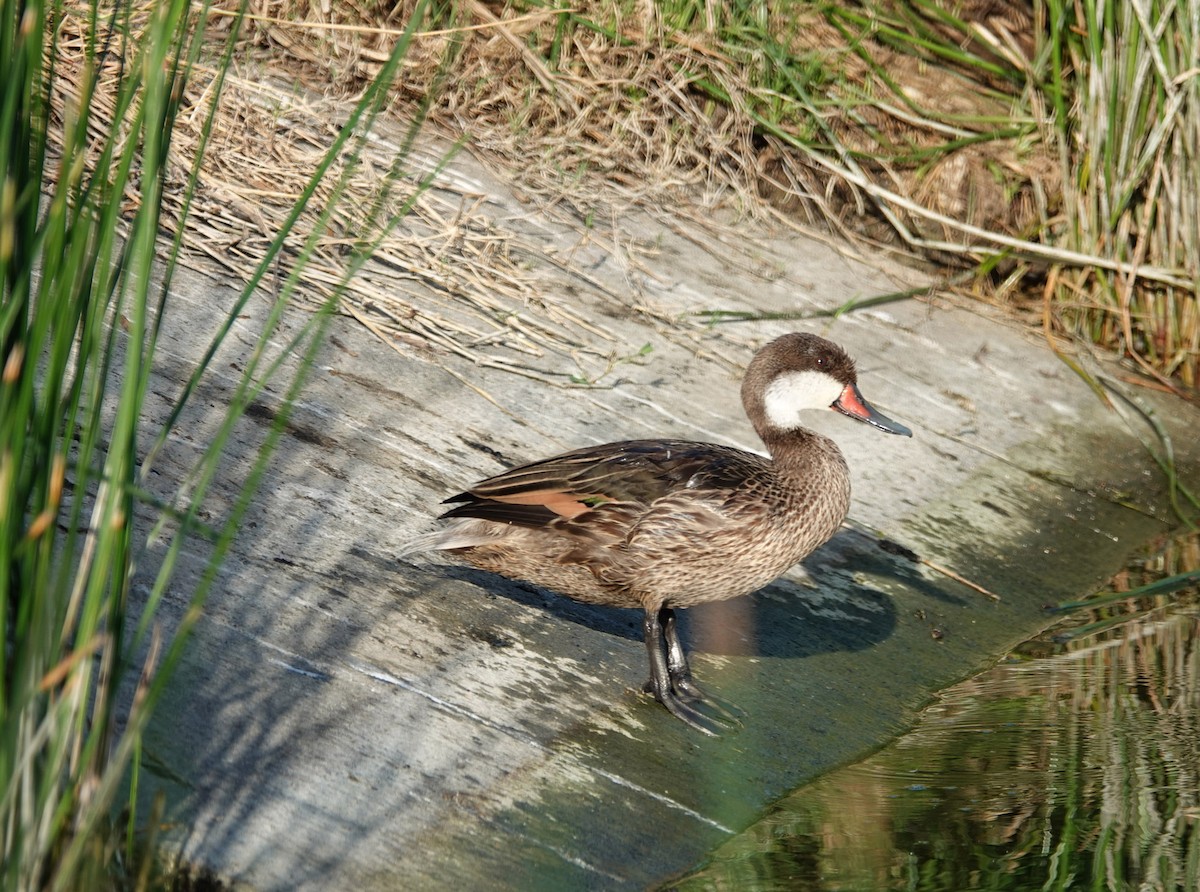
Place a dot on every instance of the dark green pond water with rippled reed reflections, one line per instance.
(1075, 765)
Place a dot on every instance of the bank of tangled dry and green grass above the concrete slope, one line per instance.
(1051, 146)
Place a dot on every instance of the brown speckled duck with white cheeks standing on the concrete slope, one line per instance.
(662, 525)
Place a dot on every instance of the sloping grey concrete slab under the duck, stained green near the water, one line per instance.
(346, 720)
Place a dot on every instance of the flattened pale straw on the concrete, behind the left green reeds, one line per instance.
(449, 280)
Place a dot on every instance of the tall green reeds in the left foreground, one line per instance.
(91, 179)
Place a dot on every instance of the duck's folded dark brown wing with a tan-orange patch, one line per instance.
(613, 484)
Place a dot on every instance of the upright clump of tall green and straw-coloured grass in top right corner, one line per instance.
(1127, 131)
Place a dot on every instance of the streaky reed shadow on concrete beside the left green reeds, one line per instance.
(248, 737)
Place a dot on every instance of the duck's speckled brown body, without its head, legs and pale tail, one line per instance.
(671, 523)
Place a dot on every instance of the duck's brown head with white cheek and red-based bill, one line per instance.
(802, 372)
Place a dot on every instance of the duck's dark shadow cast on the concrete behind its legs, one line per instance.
(787, 619)
